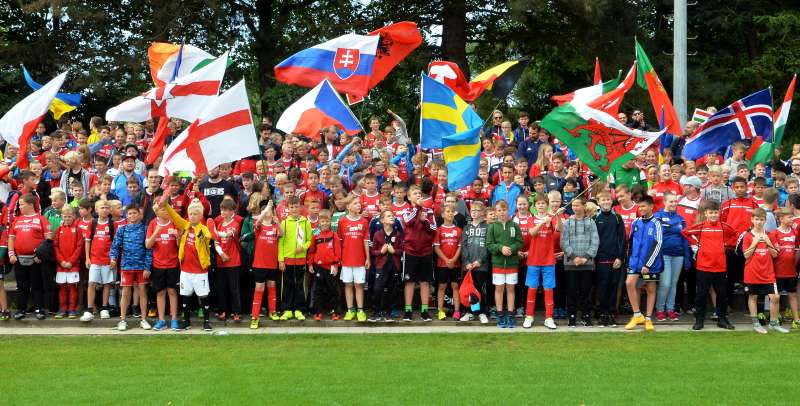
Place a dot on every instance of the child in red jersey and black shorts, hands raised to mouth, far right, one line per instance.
(759, 273)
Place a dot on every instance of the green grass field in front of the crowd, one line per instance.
(589, 368)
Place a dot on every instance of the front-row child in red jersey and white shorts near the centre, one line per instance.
(354, 231)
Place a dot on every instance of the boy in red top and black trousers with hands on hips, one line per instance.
(711, 238)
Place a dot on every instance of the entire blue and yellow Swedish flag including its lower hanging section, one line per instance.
(450, 123)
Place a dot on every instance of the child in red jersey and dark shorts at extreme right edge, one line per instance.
(784, 238)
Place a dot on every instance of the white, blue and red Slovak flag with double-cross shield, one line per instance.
(346, 61)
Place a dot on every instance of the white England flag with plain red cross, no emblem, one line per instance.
(223, 132)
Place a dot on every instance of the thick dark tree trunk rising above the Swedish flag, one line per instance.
(454, 34)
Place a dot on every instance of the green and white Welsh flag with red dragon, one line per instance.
(598, 139)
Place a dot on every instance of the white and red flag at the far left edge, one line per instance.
(18, 124)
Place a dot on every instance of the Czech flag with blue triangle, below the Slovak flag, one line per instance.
(319, 108)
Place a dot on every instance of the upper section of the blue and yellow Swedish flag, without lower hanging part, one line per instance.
(443, 113)
